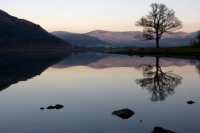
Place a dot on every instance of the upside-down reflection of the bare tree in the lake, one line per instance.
(160, 84)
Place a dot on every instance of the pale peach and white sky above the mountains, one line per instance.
(86, 15)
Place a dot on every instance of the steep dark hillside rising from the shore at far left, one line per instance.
(20, 33)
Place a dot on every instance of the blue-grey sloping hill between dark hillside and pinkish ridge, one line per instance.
(81, 40)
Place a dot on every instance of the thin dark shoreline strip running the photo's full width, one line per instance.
(192, 52)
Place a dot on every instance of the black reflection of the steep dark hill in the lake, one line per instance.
(15, 68)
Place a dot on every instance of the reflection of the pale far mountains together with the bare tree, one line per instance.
(158, 82)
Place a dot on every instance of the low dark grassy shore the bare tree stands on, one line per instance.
(168, 52)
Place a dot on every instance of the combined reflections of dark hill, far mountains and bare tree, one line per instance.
(159, 83)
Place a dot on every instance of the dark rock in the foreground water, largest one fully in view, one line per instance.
(124, 113)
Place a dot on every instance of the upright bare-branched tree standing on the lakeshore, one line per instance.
(160, 20)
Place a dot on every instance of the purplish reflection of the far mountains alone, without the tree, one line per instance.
(102, 61)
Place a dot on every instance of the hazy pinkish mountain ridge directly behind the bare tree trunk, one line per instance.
(135, 38)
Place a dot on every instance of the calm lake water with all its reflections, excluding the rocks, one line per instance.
(91, 87)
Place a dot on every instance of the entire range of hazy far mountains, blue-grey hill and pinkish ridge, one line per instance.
(128, 39)
